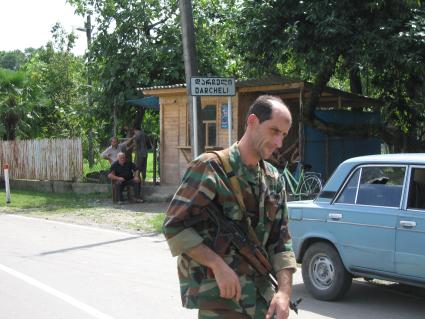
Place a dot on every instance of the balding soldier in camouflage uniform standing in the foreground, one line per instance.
(226, 286)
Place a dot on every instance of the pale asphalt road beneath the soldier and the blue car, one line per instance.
(56, 270)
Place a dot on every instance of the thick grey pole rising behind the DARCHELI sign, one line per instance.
(191, 69)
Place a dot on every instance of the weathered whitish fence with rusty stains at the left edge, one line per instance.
(47, 159)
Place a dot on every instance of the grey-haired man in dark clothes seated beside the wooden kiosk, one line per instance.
(124, 173)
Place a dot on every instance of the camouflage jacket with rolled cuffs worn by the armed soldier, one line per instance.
(264, 197)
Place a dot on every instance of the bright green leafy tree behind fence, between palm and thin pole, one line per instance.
(56, 81)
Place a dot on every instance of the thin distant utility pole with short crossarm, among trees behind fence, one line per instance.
(88, 28)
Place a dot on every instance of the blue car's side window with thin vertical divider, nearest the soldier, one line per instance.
(378, 186)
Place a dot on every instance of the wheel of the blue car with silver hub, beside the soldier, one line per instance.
(324, 274)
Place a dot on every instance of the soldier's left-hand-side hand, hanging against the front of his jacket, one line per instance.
(227, 281)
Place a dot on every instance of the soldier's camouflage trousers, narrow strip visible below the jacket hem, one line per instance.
(259, 312)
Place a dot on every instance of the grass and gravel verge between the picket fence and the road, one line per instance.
(90, 209)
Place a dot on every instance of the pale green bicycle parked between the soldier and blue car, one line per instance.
(302, 185)
